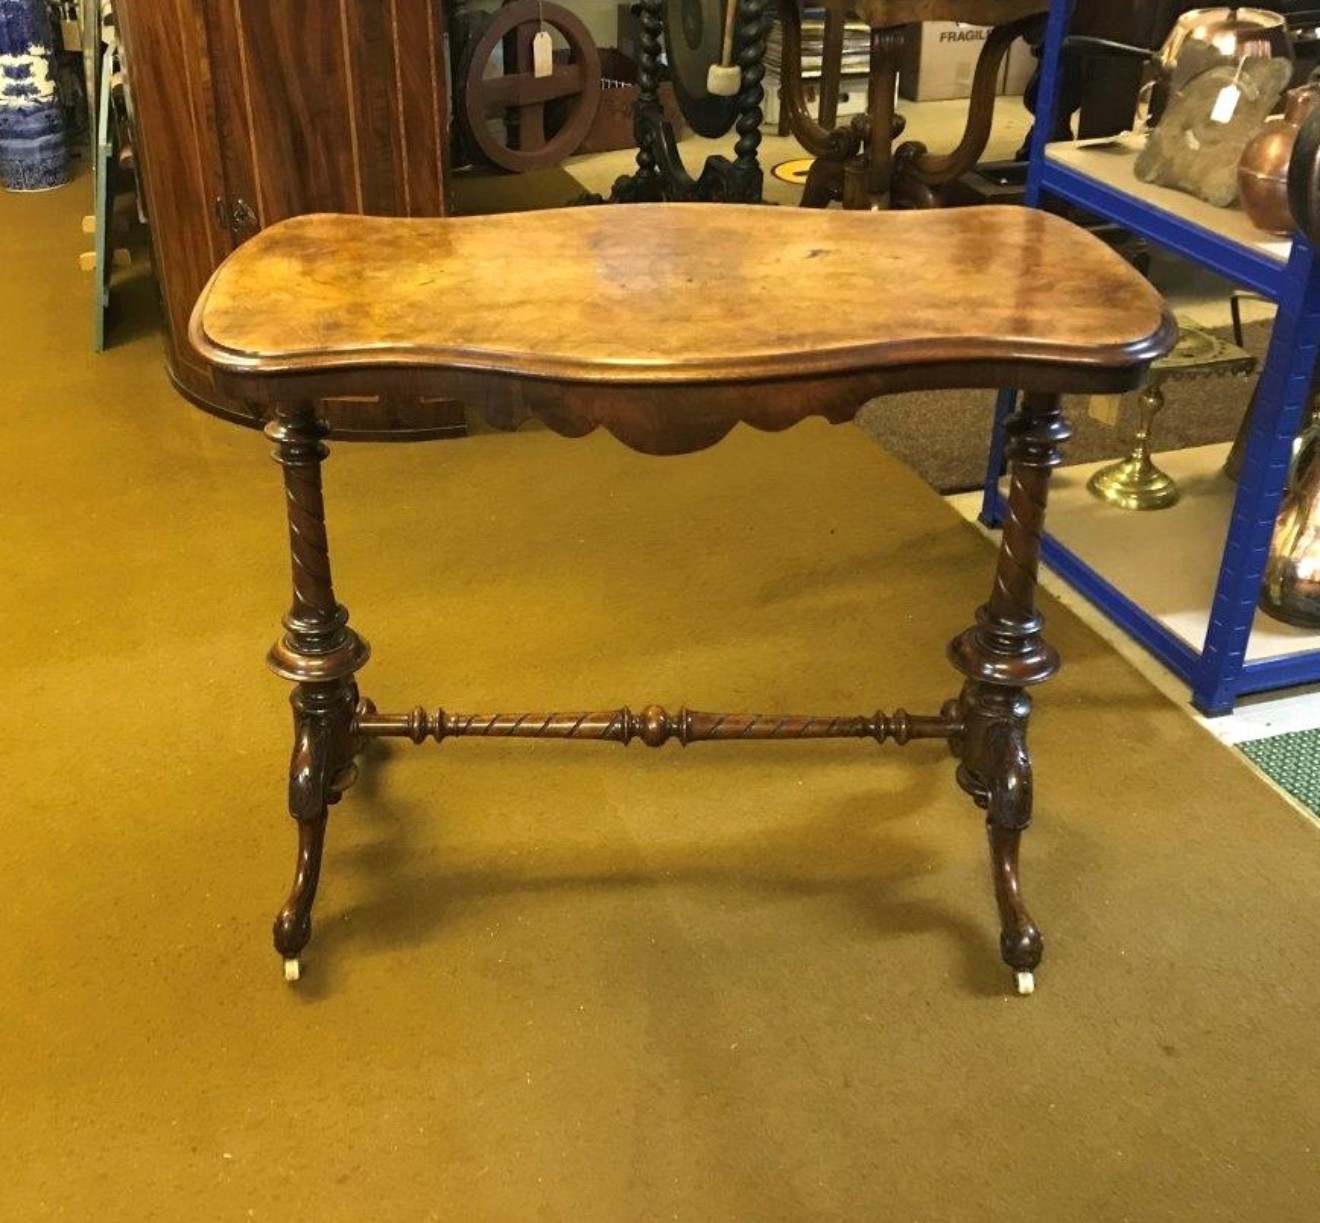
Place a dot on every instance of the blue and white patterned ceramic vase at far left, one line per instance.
(34, 151)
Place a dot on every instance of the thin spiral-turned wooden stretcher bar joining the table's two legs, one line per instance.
(657, 726)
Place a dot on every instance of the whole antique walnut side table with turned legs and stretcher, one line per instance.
(666, 325)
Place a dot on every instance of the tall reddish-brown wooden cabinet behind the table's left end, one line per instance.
(247, 113)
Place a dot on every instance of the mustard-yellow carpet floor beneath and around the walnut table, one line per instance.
(575, 982)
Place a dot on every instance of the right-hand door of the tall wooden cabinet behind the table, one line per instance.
(329, 106)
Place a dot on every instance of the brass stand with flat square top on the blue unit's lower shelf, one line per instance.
(1136, 482)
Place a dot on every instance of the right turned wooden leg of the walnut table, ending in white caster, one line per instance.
(1001, 656)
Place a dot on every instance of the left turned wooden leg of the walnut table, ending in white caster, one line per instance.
(320, 655)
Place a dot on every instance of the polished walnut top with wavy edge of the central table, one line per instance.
(651, 295)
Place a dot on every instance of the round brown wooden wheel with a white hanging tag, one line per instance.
(517, 100)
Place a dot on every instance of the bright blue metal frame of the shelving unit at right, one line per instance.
(1218, 672)
